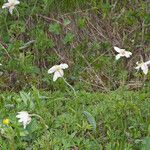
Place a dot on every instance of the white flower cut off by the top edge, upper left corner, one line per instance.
(11, 5)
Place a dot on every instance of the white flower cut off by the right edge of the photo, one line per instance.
(143, 66)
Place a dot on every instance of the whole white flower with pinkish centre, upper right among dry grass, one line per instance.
(122, 53)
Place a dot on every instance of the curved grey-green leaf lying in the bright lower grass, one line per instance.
(90, 119)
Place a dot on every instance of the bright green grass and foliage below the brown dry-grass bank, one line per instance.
(122, 120)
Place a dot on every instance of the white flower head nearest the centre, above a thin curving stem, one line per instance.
(57, 70)
